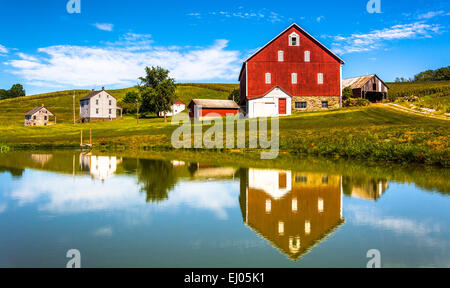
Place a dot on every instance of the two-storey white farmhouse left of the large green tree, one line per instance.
(98, 105)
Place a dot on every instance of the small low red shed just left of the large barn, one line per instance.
(210, 108)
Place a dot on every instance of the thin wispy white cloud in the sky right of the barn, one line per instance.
(375, 39)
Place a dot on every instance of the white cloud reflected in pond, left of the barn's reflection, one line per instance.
(119, 193)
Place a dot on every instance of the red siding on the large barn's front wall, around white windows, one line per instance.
(266, 61)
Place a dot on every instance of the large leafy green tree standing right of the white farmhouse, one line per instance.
(157, 91)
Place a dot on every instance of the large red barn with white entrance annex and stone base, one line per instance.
(293, 72)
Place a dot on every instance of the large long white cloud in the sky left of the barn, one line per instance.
(122, 62)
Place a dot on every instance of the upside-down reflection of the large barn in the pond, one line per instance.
(294, 211)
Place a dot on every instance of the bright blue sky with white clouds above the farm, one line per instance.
(109, 43)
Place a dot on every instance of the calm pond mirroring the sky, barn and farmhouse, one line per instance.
(133, 211)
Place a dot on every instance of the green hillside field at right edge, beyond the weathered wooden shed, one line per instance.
(432, 95)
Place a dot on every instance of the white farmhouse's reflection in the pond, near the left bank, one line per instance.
(100, 167)
